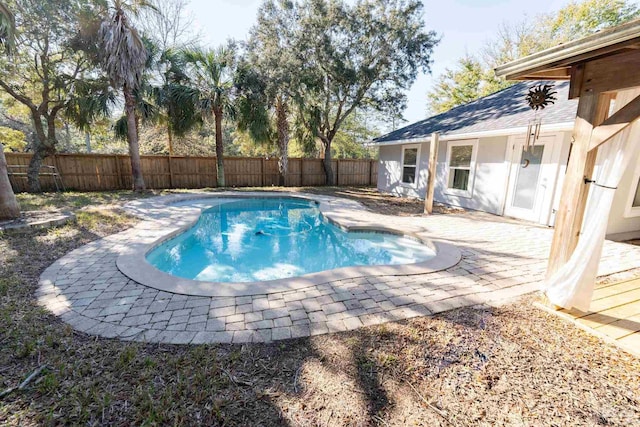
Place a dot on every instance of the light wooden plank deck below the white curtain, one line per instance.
(614, 314)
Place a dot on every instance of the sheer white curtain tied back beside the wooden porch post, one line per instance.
(572, 285)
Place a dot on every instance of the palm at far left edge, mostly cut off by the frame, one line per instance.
(9, 208)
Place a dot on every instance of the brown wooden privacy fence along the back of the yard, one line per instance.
(96, 172)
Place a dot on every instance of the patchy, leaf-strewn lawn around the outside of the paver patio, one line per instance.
(514, 365)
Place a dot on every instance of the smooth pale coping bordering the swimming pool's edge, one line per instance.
(132, 260)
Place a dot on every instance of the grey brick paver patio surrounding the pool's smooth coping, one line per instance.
(500, 260)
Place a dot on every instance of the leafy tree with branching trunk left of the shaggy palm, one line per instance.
(46, 69)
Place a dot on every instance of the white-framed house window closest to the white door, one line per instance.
(460, 167)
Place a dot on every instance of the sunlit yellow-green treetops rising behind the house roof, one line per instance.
(473, 77)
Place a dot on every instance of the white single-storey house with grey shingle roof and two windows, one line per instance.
(482, 163)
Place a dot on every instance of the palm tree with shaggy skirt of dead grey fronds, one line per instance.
(123, 57)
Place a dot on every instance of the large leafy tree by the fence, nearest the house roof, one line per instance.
(361, 55)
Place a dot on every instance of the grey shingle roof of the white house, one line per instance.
(501, 110)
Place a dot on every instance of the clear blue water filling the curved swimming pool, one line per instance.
(264, 239)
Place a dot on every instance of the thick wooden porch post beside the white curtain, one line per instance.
(592, 110)
